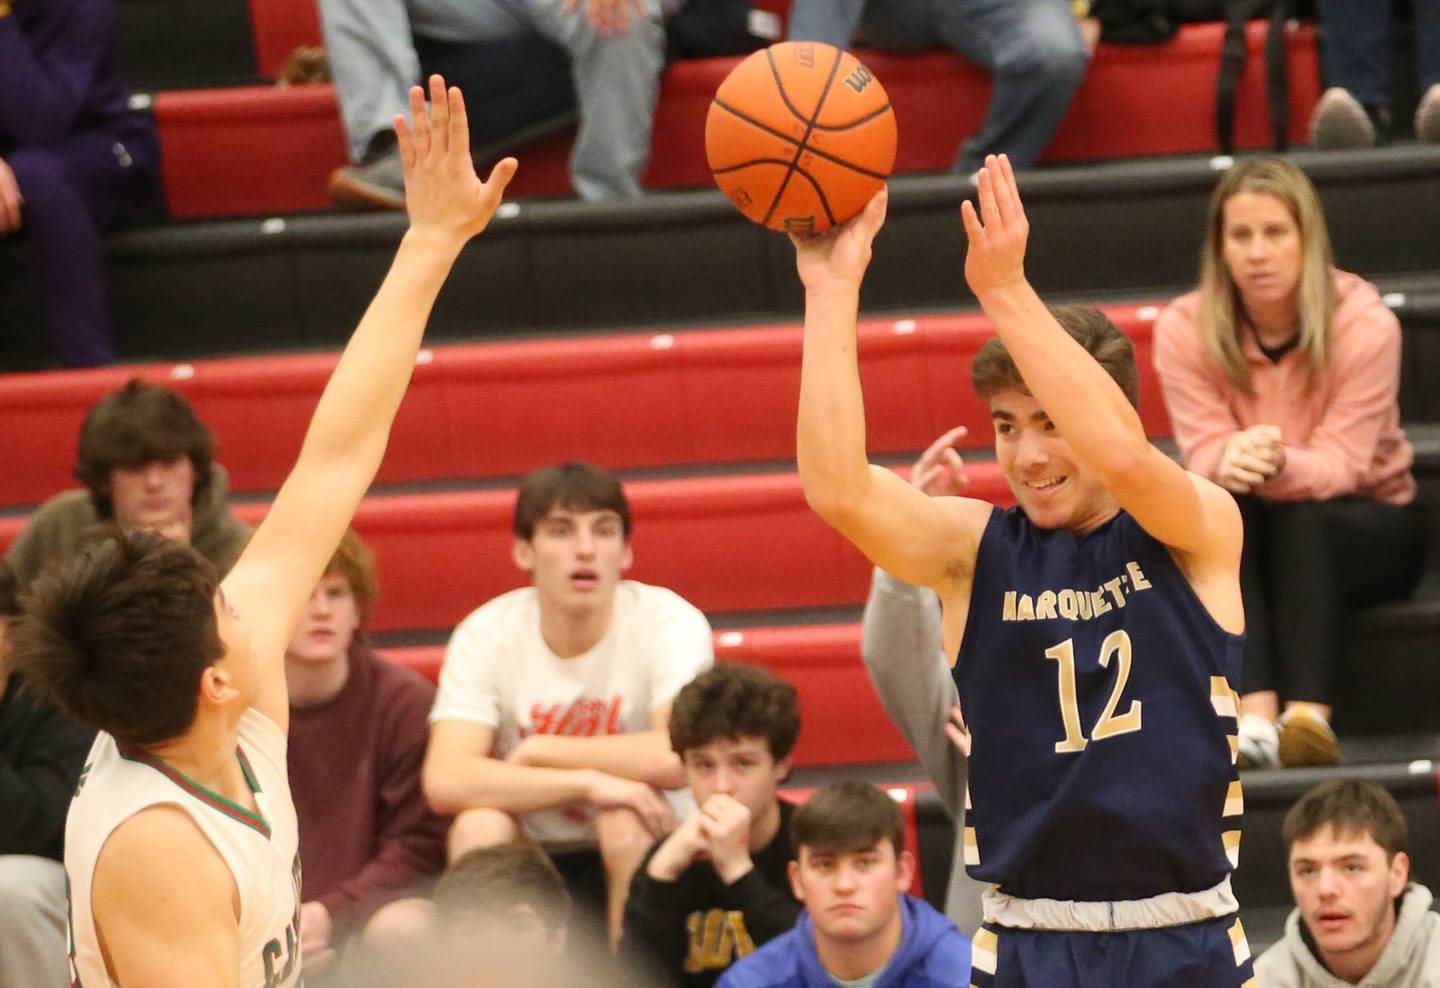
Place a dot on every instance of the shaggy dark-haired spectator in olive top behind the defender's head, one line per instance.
(146, 463)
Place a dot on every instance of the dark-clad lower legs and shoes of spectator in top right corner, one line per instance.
(1357, 107)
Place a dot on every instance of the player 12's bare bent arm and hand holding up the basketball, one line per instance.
(922, 541)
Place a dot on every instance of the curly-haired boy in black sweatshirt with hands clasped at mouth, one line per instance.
(718, 886)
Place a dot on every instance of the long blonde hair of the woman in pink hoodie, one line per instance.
(1220, 306)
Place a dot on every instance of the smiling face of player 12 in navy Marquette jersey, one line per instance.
(1049, 483)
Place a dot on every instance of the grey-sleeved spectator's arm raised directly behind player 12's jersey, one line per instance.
(906, 662)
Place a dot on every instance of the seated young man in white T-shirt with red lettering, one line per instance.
(554, 711)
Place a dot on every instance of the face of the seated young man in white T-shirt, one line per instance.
(577, 557)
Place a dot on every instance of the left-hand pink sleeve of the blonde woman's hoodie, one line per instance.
(1197, 404)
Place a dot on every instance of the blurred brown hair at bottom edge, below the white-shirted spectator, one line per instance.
(498, 879)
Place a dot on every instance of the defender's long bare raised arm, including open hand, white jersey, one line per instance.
(447, 205)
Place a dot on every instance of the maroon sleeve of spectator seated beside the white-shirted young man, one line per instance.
(411, 839)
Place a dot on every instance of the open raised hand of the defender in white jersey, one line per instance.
(443, 194)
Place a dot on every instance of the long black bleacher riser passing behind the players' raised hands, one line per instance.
(247, 286)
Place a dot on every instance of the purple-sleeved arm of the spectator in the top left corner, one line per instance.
(41, 96)
